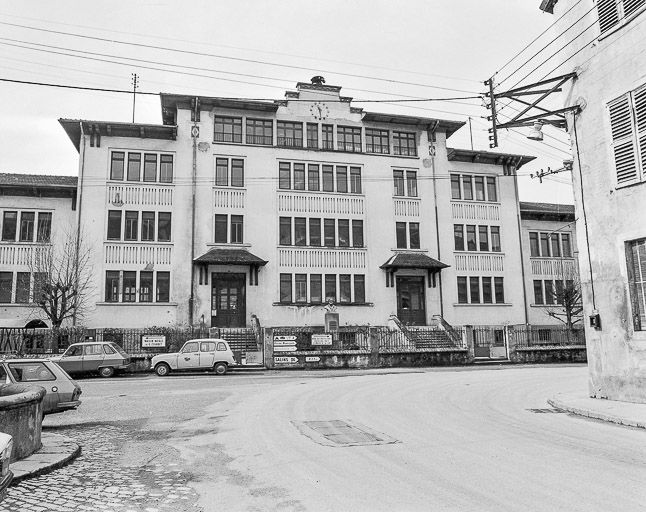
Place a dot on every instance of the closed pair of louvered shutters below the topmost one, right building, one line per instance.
(628, 128)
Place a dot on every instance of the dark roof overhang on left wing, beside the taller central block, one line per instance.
(75, 127)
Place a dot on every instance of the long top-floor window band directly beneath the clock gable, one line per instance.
(290, 134)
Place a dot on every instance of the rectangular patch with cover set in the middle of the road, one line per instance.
(341, 433)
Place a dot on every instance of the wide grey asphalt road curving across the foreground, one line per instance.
(427, 439)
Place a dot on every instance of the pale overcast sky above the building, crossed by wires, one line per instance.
(374, 49)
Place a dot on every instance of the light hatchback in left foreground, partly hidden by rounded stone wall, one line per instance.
(62, 392)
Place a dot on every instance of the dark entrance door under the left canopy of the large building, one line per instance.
(228, 305)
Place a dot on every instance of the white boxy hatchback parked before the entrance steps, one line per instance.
(197, 354)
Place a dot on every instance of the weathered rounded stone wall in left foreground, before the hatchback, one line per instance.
(21, 412)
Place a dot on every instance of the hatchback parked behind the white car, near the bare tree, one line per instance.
(105, 357)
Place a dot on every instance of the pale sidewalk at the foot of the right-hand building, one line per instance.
(622, 413)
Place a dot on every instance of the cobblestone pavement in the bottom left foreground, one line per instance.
(104, 478)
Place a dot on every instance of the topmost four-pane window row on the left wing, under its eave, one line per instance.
(157, 167)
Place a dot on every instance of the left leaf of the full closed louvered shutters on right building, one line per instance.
(623, 146)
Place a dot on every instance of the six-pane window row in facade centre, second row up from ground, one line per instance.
(304, 231)
